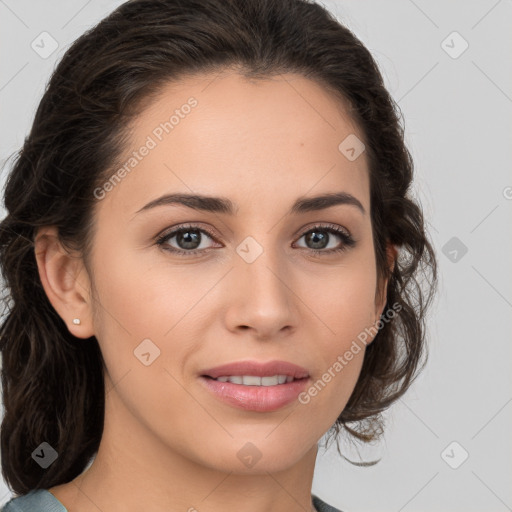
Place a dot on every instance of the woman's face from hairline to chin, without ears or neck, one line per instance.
(264, 282)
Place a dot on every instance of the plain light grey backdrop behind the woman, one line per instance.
(457, 111)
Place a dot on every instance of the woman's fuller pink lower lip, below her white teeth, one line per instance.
(256, 398)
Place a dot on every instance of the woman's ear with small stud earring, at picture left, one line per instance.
(65, 281)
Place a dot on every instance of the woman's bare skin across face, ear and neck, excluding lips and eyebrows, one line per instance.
(168, 444)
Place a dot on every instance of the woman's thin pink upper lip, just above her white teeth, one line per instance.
(257, 369)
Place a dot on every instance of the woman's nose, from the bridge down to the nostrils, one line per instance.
(261, 295)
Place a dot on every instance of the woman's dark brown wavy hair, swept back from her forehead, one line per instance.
(52, 382)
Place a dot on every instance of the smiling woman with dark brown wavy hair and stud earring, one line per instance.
(211, 261)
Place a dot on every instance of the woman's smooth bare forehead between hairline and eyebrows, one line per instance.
(248, 140)
